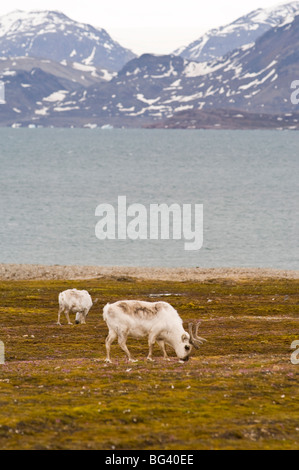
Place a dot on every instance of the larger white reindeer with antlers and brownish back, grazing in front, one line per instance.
(159, 321)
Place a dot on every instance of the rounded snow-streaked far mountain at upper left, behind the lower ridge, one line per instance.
(52, 35)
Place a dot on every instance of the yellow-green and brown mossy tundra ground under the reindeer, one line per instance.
(239, 391)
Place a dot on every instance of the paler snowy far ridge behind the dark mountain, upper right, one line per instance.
(219, 41)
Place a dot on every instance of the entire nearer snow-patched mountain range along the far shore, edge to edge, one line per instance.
(241, 88)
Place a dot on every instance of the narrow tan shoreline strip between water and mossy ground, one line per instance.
(16, 272)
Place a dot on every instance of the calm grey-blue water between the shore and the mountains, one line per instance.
(52, 180)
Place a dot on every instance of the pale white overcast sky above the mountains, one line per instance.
(157, 26)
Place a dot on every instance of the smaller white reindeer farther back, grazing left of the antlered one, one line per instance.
(74, 301)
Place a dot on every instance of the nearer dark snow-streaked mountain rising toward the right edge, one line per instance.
(253, 79)
